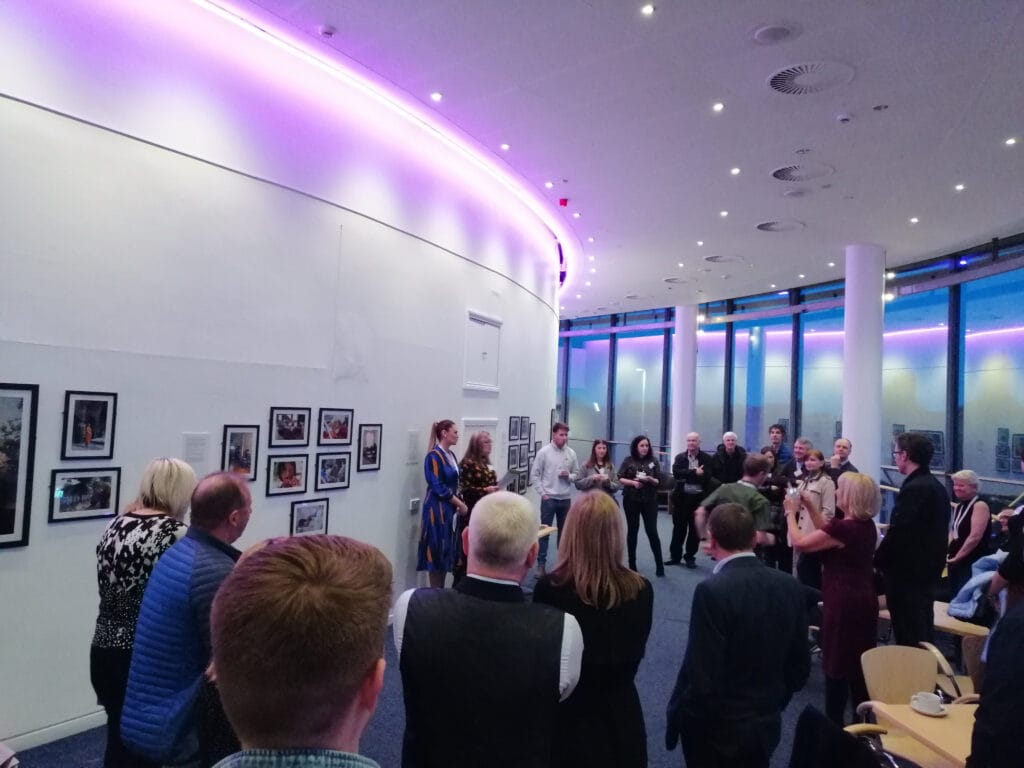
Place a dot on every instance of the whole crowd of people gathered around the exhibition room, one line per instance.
(206, 657)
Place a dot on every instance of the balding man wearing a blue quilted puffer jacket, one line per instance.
(173, 715)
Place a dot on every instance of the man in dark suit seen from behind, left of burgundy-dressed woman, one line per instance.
(747, 654)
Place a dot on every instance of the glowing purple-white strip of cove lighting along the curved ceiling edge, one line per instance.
(566, 242)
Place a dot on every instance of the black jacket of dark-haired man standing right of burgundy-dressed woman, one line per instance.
(914, 550)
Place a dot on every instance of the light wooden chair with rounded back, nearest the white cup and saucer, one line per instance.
(893, 674)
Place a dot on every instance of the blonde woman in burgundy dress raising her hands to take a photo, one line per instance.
(851, 607)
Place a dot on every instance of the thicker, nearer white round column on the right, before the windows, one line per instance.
(864, 322)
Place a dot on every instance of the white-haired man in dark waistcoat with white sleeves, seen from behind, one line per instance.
(482, 651)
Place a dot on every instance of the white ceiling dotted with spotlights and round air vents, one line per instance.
(616, 108)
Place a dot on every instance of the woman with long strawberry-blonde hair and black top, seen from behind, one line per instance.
(602, 724)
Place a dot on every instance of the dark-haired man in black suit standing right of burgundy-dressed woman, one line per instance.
(914, 552)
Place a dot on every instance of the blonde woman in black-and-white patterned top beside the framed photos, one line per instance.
(127, 551)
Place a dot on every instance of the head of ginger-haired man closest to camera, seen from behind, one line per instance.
(298, 646)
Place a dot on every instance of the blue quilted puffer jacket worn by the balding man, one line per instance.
(173, 649)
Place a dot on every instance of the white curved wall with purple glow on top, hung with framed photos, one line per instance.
(209, 229)
